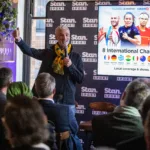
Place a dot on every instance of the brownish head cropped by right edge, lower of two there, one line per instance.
(147, 130)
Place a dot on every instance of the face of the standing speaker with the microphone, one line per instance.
(63, 37)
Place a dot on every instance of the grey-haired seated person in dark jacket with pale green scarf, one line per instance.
(125, 122)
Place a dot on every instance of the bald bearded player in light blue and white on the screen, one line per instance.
(114, 19)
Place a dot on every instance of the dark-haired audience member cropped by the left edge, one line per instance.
(5, 80)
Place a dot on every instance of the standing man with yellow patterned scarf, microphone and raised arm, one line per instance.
(60, 61)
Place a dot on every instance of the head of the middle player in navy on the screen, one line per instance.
(129, 19)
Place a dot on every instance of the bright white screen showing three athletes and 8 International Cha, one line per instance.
(124, 40)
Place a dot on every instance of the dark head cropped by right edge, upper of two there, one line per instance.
(145, 108)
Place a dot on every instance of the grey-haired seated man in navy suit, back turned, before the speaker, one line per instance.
(61, 115)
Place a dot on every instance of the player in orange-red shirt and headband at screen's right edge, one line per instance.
(144, 31)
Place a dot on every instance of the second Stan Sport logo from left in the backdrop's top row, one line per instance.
(76, 6)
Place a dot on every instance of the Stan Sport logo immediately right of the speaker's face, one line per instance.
(78, 39)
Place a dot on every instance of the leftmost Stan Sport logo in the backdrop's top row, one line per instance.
(57, 6)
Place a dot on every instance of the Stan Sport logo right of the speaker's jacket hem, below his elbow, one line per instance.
(88, 92)
